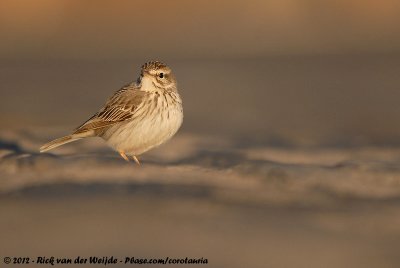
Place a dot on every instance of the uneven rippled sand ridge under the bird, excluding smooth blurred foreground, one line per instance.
(226, 171)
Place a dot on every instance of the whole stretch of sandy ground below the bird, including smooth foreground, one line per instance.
(202, 197)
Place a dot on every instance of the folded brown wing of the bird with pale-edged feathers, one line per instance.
(120, 107)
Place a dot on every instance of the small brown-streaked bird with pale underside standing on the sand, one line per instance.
(136, 118)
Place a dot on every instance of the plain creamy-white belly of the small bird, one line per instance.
(135, 137)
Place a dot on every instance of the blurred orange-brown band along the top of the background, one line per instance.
(203, 28)
